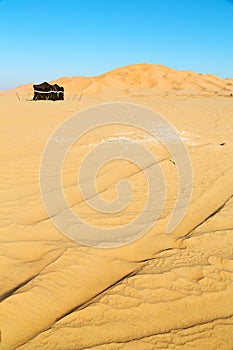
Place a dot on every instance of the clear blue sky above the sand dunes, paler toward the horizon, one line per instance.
(43, 39)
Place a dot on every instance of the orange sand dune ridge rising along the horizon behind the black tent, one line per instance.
(143, 79)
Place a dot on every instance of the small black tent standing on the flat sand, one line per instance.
(45, 91)
